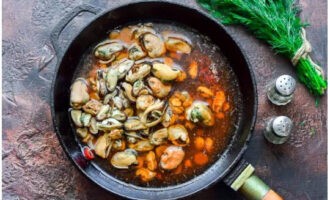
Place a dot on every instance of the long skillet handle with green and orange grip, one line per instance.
(243, 180)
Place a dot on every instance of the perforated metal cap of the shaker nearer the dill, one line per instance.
(285, 84)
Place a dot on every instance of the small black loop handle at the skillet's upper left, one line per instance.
(56, 32)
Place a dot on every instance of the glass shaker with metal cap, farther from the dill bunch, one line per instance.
(278, 129)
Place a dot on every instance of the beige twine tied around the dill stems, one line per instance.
(304, 51)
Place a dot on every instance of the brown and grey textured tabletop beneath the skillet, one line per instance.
(35, 166)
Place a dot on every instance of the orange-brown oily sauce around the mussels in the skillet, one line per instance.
(206, 143)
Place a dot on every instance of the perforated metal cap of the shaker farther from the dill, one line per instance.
(282, 126)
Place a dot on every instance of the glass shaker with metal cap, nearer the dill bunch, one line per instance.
(280, 91)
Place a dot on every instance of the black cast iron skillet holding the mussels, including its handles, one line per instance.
(149, 11)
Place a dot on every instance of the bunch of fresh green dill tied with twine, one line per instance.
(277, 23)
